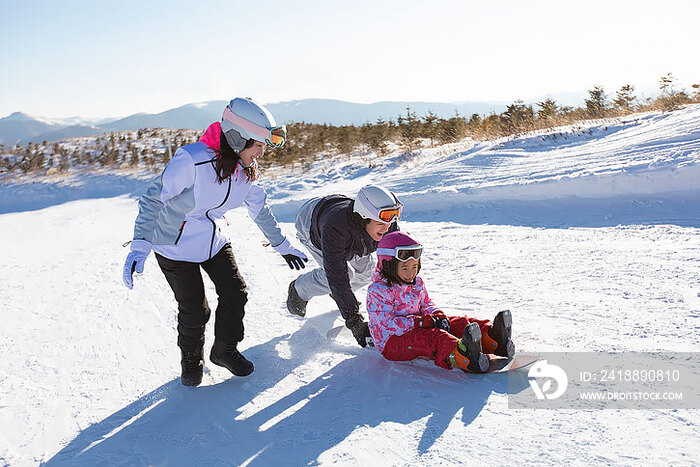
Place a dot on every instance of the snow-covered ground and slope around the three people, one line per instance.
(592, 238)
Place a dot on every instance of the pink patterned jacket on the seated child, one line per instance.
(389, 308)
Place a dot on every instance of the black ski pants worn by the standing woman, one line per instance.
(185, 279)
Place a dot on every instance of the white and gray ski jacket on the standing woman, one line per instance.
(182, 211)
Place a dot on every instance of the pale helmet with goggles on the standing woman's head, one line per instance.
(245, 119)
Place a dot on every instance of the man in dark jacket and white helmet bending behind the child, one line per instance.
(341, 234)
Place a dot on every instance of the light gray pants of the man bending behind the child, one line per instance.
(315, 283)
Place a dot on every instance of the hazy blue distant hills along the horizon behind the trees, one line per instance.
(22, 128)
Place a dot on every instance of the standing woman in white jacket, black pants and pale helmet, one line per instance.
(180, 218)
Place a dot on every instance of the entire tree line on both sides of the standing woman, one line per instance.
(307, 142)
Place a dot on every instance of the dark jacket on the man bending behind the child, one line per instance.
(340, 236)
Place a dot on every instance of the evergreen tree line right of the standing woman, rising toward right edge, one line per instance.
(307, 142)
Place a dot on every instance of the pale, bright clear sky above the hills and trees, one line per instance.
(108, 59)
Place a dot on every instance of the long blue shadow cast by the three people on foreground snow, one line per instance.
(219, 423)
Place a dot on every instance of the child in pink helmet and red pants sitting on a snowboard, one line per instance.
(405, 323)
